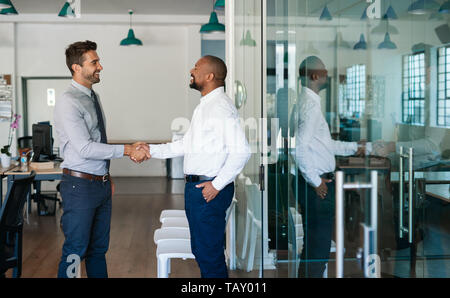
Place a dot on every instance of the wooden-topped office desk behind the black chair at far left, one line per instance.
(41, 175)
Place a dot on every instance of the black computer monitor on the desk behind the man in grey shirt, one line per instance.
(42, 142)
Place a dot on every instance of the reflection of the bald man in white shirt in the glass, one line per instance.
(315, 157)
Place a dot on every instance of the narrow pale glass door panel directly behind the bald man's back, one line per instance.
(247, 82)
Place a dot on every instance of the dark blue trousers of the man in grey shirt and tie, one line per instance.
(86, 223)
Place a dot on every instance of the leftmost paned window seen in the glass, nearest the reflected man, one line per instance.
(352, 94)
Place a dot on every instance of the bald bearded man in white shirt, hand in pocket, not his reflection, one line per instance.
(215, 151)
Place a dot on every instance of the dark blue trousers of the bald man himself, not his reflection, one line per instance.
(207, 228)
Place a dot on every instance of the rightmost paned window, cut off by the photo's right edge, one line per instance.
(443, 98)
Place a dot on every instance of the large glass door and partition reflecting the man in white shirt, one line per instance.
(358, 88)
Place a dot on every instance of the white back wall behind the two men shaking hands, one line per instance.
(142, 89)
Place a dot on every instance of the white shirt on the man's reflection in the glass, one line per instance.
(315, 149)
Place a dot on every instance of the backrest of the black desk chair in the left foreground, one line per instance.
(11, 215)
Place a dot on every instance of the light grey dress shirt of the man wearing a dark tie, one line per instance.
(78, 132)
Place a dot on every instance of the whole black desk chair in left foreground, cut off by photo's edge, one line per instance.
(11, 224)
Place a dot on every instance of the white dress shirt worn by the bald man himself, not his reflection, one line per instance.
(215, 143)
